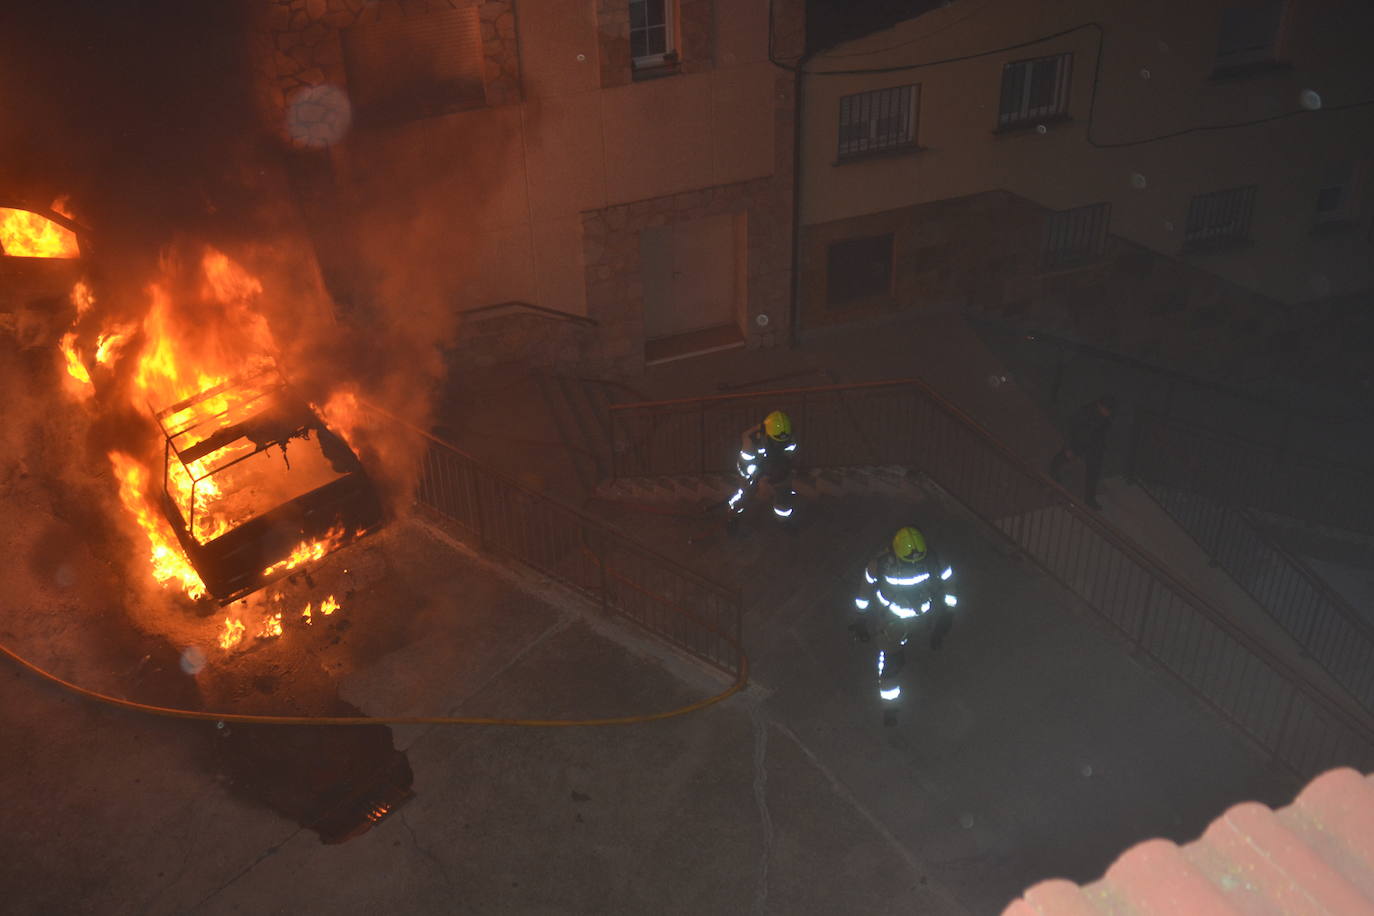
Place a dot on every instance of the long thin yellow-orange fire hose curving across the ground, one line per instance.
(225, 719)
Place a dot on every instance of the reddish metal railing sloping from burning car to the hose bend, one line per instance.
(693, 613)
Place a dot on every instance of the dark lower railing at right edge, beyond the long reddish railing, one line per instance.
(1322, 624)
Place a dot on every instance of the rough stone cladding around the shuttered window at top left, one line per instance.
(297, 47)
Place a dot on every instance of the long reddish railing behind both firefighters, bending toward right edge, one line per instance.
(905, 422)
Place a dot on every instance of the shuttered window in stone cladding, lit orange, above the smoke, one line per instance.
(406, 68)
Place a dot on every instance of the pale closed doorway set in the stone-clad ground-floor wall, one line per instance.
(695, 286)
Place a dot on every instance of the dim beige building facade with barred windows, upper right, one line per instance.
(1068, 165)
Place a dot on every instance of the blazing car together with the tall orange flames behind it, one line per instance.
(255, 483)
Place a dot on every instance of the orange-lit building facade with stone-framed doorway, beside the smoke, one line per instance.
(627, 163)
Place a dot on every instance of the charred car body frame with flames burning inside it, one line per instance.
(244, 514)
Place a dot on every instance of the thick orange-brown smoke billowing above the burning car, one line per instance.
(144, 116)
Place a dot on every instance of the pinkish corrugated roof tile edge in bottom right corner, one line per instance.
(1314, 856)
